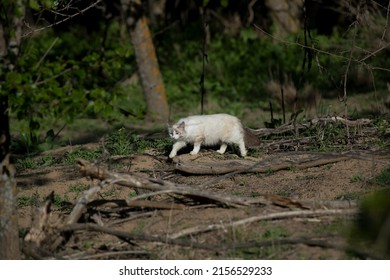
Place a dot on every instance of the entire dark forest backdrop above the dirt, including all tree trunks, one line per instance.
(133, 62)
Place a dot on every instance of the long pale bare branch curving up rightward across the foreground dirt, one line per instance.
(272, 216)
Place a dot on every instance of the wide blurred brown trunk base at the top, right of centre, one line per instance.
(285, 15)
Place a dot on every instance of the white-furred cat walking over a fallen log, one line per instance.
(207, 130)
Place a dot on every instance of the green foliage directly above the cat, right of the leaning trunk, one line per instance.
(237, 70)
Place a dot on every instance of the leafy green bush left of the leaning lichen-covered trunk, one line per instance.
(51, 87)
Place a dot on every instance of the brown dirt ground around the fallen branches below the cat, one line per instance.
(297, 237)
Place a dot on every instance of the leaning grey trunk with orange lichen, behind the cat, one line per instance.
(148, 68)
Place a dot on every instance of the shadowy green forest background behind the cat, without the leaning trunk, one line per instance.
(77, 59)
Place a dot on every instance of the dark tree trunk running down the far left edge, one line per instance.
(11, 21)
